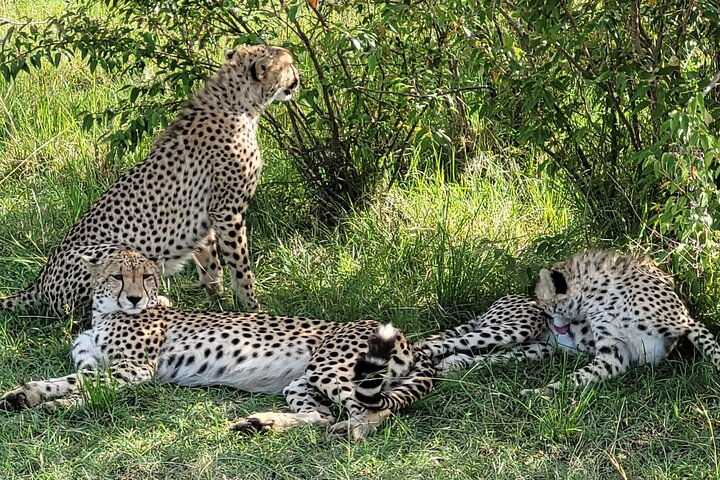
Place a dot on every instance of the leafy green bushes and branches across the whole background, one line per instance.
(616, 100)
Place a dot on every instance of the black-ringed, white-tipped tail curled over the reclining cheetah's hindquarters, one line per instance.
(388, 355)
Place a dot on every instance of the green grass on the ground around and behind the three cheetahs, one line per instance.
(426, 256)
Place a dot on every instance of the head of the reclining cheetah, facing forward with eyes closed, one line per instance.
(122, 281)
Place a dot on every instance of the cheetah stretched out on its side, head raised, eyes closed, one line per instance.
(365, 367)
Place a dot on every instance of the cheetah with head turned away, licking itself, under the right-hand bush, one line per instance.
(620, 309)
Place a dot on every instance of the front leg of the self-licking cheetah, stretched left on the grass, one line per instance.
(612, 359)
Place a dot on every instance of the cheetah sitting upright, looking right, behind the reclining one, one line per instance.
(194, 187)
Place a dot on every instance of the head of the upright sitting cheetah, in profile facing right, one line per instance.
(265, 72)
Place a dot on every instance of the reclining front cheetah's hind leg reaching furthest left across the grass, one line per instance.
(306, 403)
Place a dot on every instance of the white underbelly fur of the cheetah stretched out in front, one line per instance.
(262, 374)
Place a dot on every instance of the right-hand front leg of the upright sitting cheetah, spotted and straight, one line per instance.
(232, 237)
